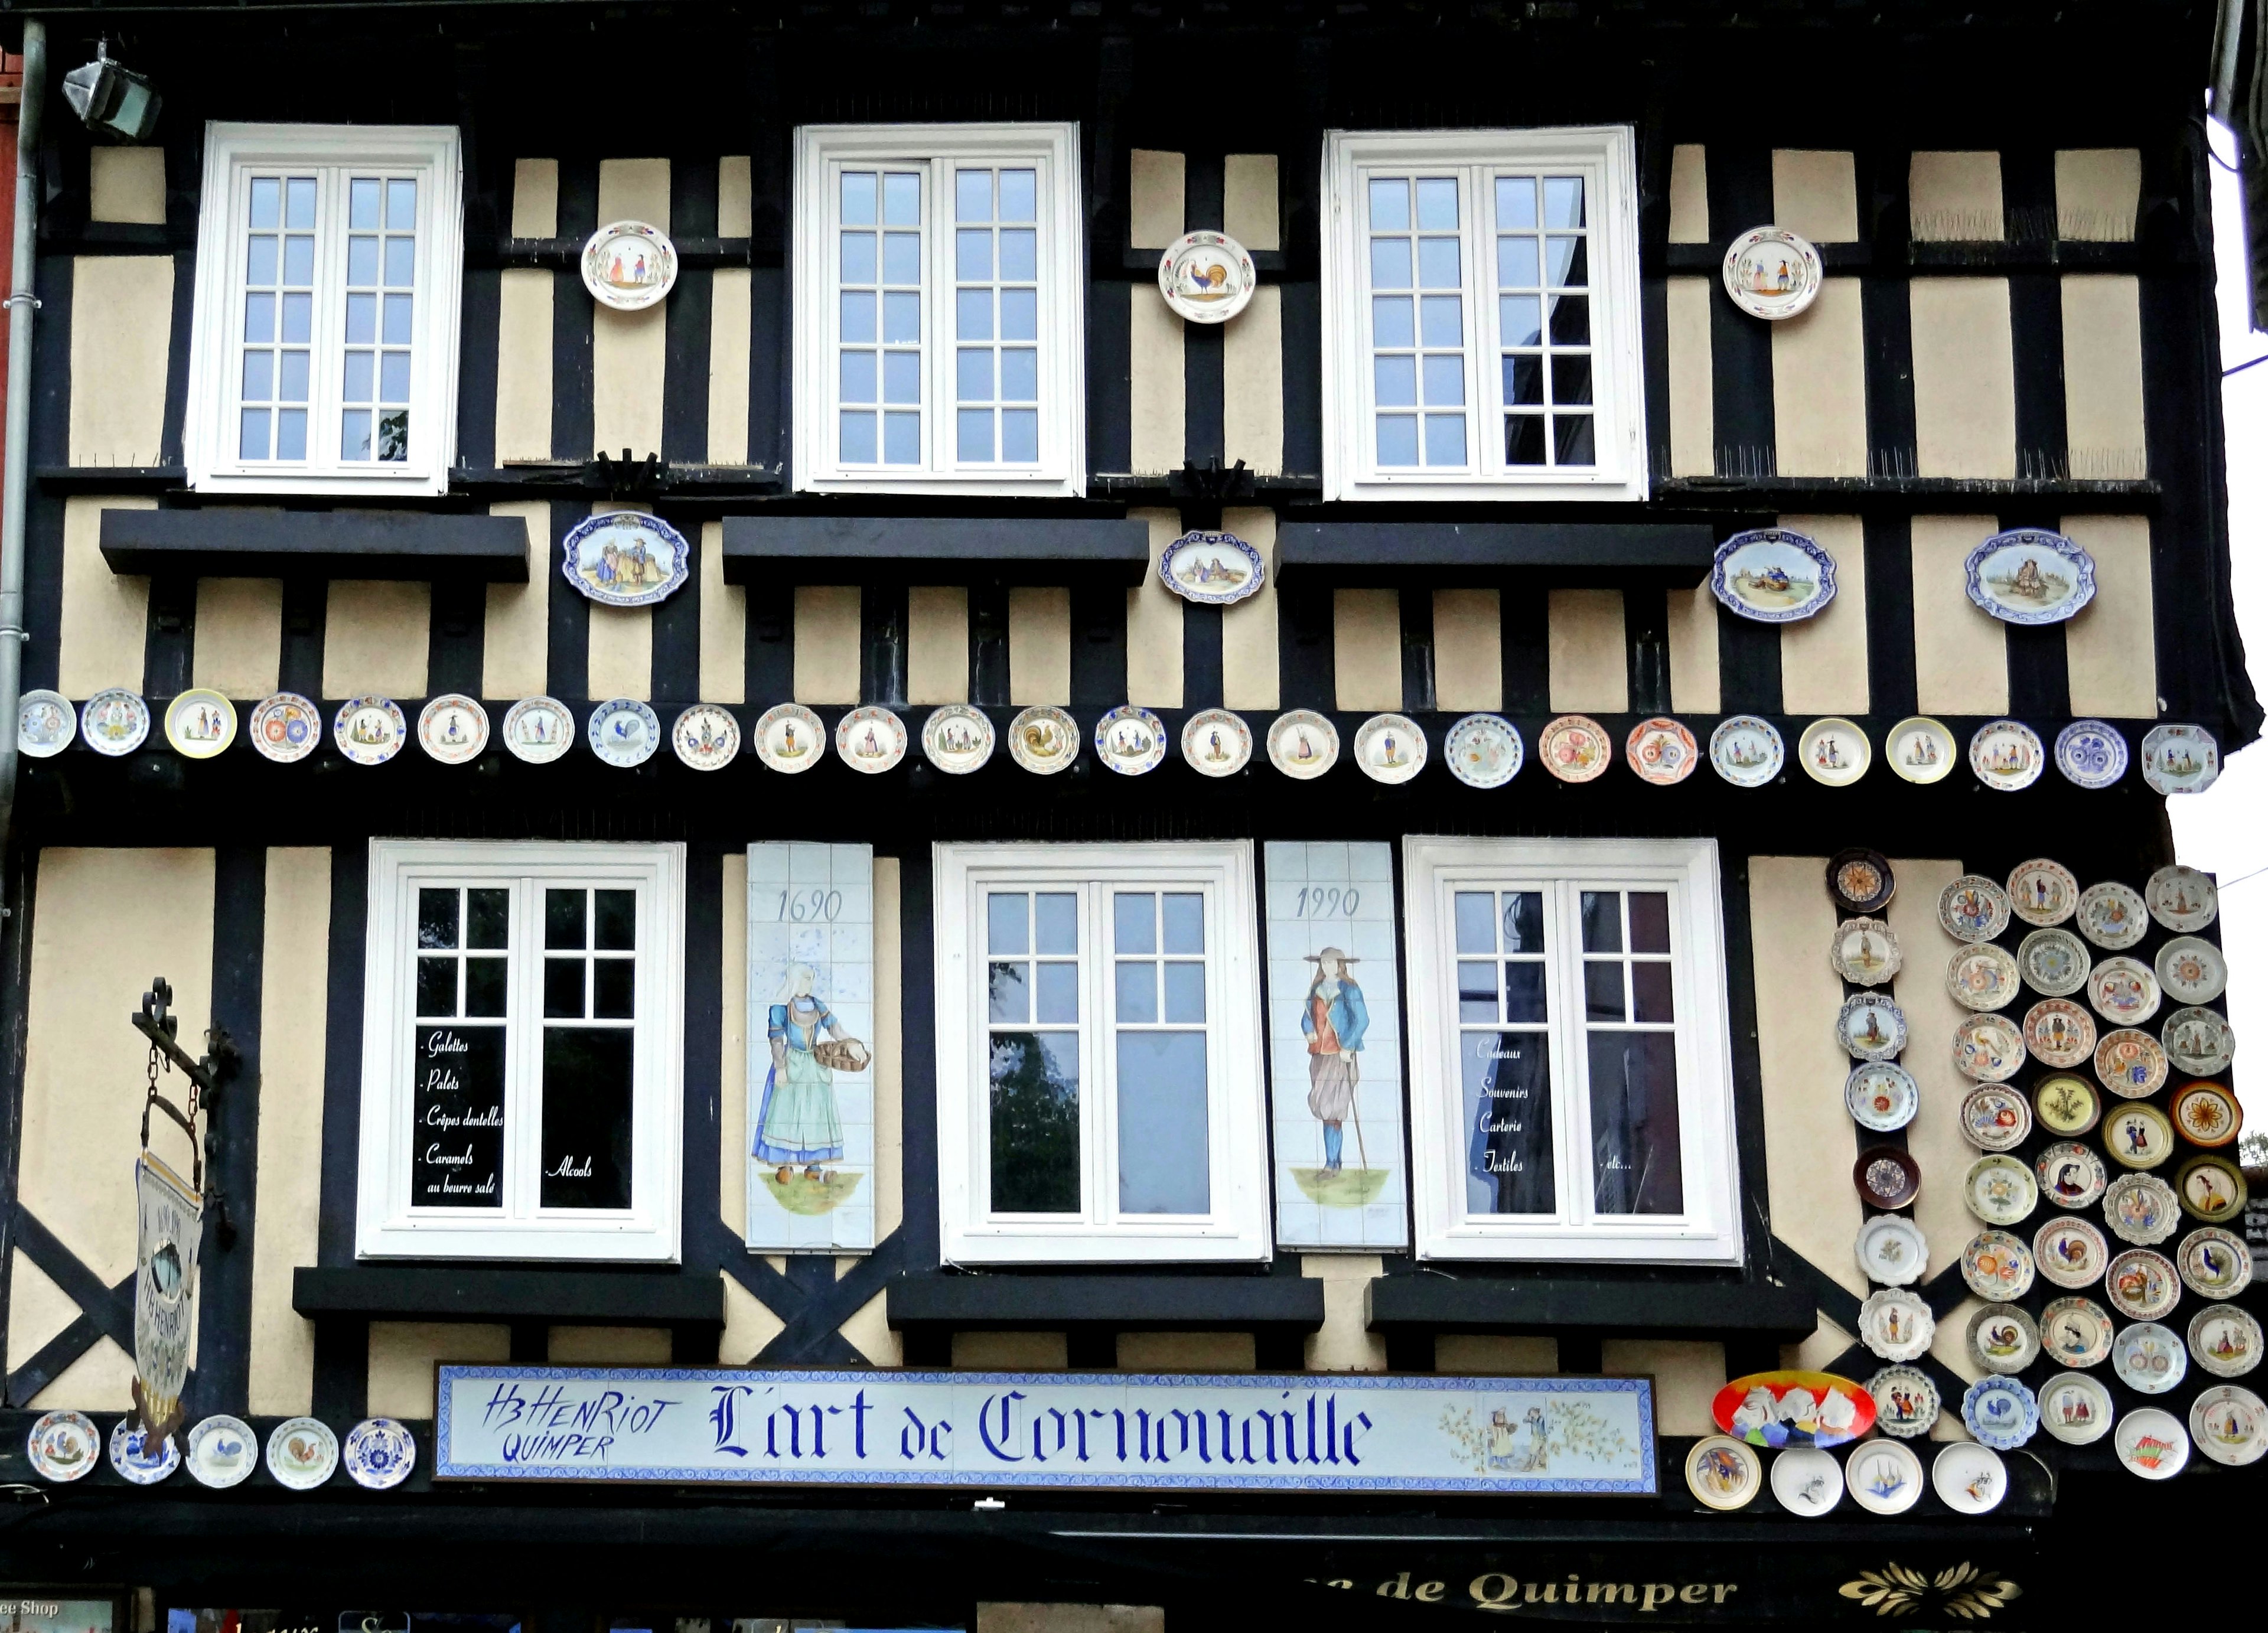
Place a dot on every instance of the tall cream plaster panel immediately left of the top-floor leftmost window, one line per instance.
(119, 355)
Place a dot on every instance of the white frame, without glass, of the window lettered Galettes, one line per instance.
(650, 1230)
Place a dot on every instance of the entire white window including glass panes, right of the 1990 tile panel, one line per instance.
(1573, 1094)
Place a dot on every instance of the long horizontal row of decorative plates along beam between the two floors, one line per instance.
(958, 738)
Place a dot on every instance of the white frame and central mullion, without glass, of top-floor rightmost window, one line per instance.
(1607, 158)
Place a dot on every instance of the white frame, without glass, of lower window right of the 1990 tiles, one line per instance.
(1709, 1233)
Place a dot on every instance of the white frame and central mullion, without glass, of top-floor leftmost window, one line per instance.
(217, 330)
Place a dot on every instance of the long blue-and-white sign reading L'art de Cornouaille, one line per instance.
(1047, 1430)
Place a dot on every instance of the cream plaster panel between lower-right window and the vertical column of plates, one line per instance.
(1806, 1131)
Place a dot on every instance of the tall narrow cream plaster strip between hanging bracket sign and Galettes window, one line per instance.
(296, 961)
